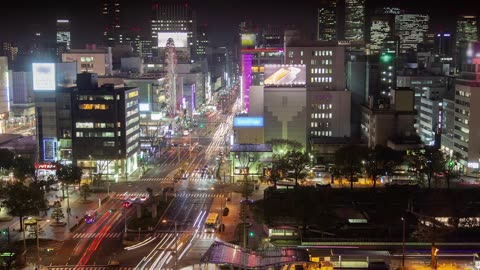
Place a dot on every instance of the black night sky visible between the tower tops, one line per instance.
(221, 16)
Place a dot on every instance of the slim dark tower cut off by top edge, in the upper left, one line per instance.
(111, 13)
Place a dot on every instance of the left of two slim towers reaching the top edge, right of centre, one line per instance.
(327, 20)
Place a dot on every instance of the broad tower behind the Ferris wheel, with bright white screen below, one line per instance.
(173, 19)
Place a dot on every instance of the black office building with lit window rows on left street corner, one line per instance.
(105, 122)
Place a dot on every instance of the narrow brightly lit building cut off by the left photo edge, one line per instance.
(4, 94)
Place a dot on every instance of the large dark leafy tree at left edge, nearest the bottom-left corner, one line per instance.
(22, 200)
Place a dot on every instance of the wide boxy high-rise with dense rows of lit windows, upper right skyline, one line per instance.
(411, 28)
